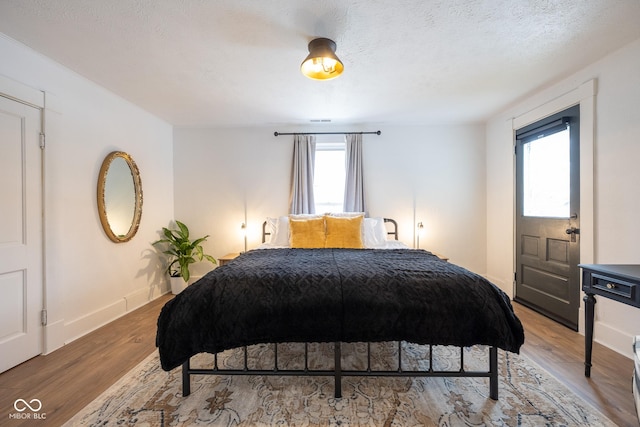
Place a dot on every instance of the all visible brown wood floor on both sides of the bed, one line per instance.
(71, 377)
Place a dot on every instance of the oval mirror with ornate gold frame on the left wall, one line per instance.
(119, 197)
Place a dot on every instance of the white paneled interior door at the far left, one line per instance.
(21, 275)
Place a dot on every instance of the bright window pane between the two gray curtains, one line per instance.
(329, 176)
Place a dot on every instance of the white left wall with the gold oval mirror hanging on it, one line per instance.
(90, 280)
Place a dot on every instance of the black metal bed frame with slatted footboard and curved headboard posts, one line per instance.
(337, 372)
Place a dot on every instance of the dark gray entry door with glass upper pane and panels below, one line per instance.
(548, 216)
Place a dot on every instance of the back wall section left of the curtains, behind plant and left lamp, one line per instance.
(225, 177)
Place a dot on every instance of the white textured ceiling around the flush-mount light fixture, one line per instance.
(236, 62)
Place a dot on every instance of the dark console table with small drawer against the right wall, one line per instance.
(619, 282)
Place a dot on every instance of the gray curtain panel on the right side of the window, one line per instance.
(354, 185)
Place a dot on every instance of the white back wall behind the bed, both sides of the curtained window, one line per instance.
(431, 174)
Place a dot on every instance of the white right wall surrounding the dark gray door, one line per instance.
(614, 229)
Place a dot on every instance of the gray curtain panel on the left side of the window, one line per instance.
(304, 154)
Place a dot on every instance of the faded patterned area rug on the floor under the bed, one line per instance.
(529, 396)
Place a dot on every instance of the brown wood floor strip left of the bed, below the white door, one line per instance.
(68, 379)
